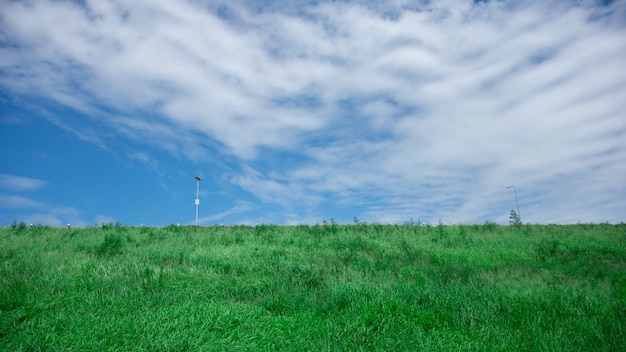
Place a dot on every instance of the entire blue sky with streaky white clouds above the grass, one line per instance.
(303, 111)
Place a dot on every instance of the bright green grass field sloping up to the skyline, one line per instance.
(361, 287)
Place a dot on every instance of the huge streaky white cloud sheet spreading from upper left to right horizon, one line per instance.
(403, 108)
